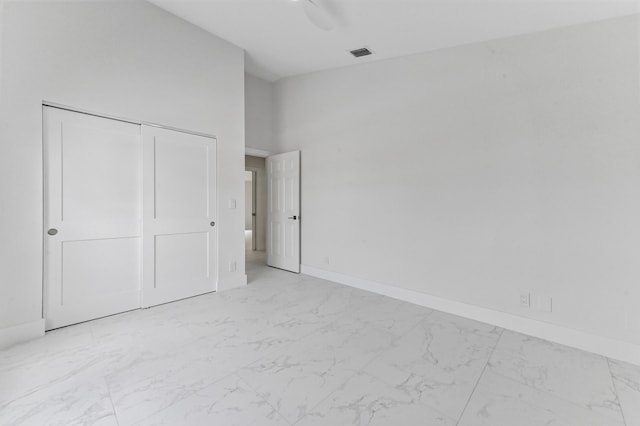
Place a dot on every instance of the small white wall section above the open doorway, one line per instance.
(259, 113)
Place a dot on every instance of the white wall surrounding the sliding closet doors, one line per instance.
(128, 59)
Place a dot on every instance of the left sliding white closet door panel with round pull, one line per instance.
(92, 217)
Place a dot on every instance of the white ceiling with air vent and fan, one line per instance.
(281, 41)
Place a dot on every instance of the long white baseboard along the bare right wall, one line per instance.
(611, 348)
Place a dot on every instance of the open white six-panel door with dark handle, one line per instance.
(283, 211)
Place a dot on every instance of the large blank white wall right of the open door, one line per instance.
(525, 153)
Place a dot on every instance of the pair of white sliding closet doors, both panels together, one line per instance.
(129, 217)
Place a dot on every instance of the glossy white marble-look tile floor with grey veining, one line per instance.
(290, 349)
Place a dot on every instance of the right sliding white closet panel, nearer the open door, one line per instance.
(179, 235)
